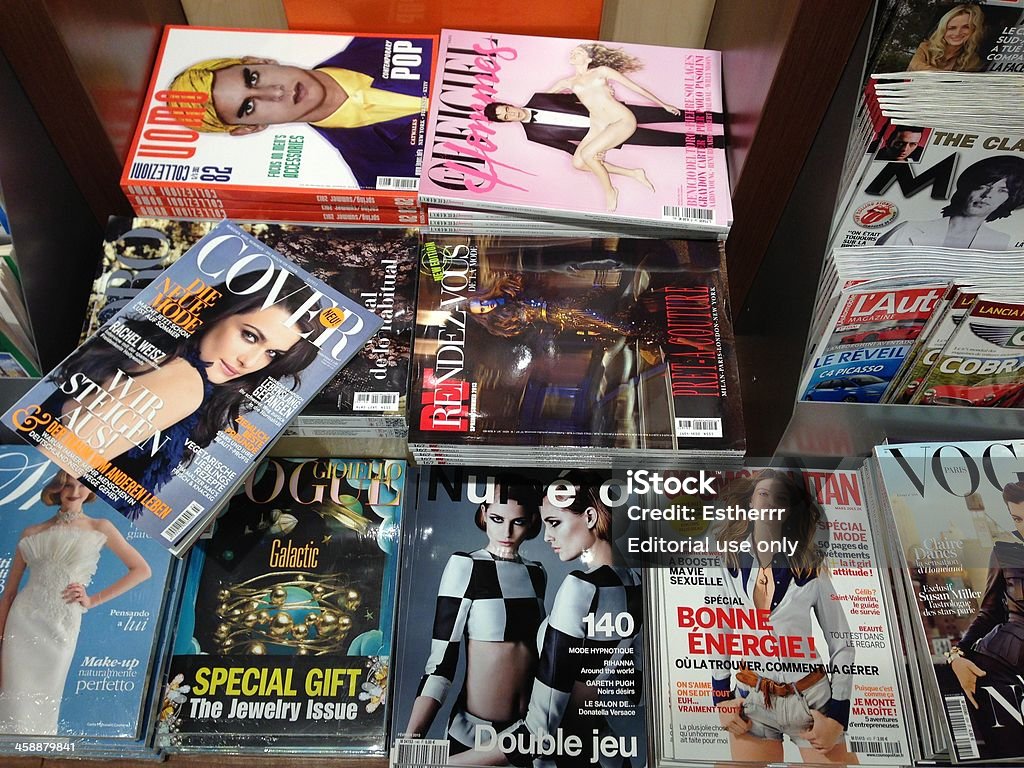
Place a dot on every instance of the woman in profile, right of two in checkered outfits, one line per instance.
(571, 643)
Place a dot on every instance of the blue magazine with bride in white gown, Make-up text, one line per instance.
(80, 612)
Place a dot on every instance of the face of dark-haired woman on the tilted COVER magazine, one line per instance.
(243, 344)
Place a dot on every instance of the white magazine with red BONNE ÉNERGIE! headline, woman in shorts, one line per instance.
(776, 646)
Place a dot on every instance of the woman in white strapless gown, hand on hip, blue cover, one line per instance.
(39, 624)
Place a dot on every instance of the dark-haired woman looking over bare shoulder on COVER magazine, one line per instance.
(202, 380)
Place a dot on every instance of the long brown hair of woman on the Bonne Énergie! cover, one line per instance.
(800, 524)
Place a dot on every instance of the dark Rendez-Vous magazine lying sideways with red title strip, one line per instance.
(575, 343)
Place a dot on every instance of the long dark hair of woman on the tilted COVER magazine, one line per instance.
(99, 360)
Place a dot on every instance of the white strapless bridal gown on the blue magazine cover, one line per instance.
(42, 630)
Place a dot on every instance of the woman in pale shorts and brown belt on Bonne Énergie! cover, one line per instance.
(806, 706)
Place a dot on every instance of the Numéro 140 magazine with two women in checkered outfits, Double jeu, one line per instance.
(534, 653)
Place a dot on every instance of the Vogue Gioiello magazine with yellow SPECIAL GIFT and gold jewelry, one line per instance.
(284, 642)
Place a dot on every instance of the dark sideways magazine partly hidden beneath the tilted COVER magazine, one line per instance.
(376, 268)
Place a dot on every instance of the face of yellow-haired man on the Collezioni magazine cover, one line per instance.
(267, 95)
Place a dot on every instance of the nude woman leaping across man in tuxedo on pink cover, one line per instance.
(598, 69)
